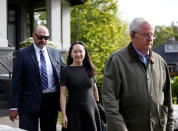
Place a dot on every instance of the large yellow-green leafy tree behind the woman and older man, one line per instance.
(97, 25)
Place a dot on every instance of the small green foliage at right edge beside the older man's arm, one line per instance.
(174, 85)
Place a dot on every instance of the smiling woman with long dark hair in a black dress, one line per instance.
(81, 112)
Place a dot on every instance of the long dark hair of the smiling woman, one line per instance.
(87, 63)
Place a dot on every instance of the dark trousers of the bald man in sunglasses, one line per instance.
(47, 116)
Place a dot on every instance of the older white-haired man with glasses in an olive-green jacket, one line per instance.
(136, 85)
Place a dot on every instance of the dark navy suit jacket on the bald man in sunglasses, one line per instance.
(26, 89)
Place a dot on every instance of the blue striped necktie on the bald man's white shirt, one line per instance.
(44, 76)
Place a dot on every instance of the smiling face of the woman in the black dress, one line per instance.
(78, 54)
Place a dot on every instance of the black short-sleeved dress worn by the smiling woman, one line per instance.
(81, 109)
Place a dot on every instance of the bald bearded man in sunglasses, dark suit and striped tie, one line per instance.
(35, 84)
